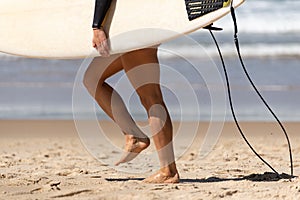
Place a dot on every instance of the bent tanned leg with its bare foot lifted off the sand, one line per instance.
(112, 104)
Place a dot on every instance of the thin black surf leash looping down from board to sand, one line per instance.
(236, 41)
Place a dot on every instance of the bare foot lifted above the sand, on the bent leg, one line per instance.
(133, 147)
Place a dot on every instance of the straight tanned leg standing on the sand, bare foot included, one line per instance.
(142, 69)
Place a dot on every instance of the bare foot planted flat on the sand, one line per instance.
(161, 177)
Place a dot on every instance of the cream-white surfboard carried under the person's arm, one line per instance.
(62, 28)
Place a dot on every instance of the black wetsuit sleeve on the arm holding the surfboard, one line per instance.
(101, 8)
